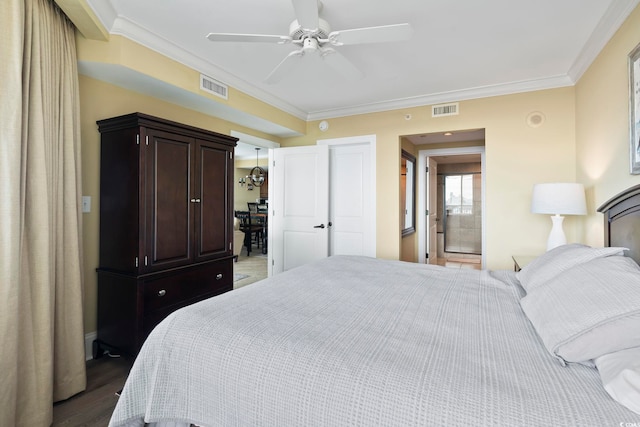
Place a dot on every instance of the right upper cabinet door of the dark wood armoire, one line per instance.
(213, 212)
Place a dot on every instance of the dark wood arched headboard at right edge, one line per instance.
(622, 221)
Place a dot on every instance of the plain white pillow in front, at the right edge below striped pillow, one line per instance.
(620, 375)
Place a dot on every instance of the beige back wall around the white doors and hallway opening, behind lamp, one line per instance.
(517, 156)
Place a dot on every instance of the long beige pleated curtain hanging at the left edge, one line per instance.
(41, 324)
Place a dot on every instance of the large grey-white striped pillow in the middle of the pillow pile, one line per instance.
(589, 310)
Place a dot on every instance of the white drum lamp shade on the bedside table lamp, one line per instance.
(559, 198)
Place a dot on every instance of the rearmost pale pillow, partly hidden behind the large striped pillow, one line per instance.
(555, 261)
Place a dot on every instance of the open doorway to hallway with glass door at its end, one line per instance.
(451, 222)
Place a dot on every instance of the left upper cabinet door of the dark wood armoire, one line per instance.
(169, 202)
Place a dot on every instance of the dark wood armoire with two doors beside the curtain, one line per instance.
(166, 224)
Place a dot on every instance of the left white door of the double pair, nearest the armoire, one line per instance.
(298, 206)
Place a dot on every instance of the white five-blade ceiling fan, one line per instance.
(313, 35)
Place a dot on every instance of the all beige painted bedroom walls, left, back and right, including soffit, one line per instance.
(594, 113)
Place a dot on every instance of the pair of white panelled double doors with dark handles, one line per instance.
(323, 200)
